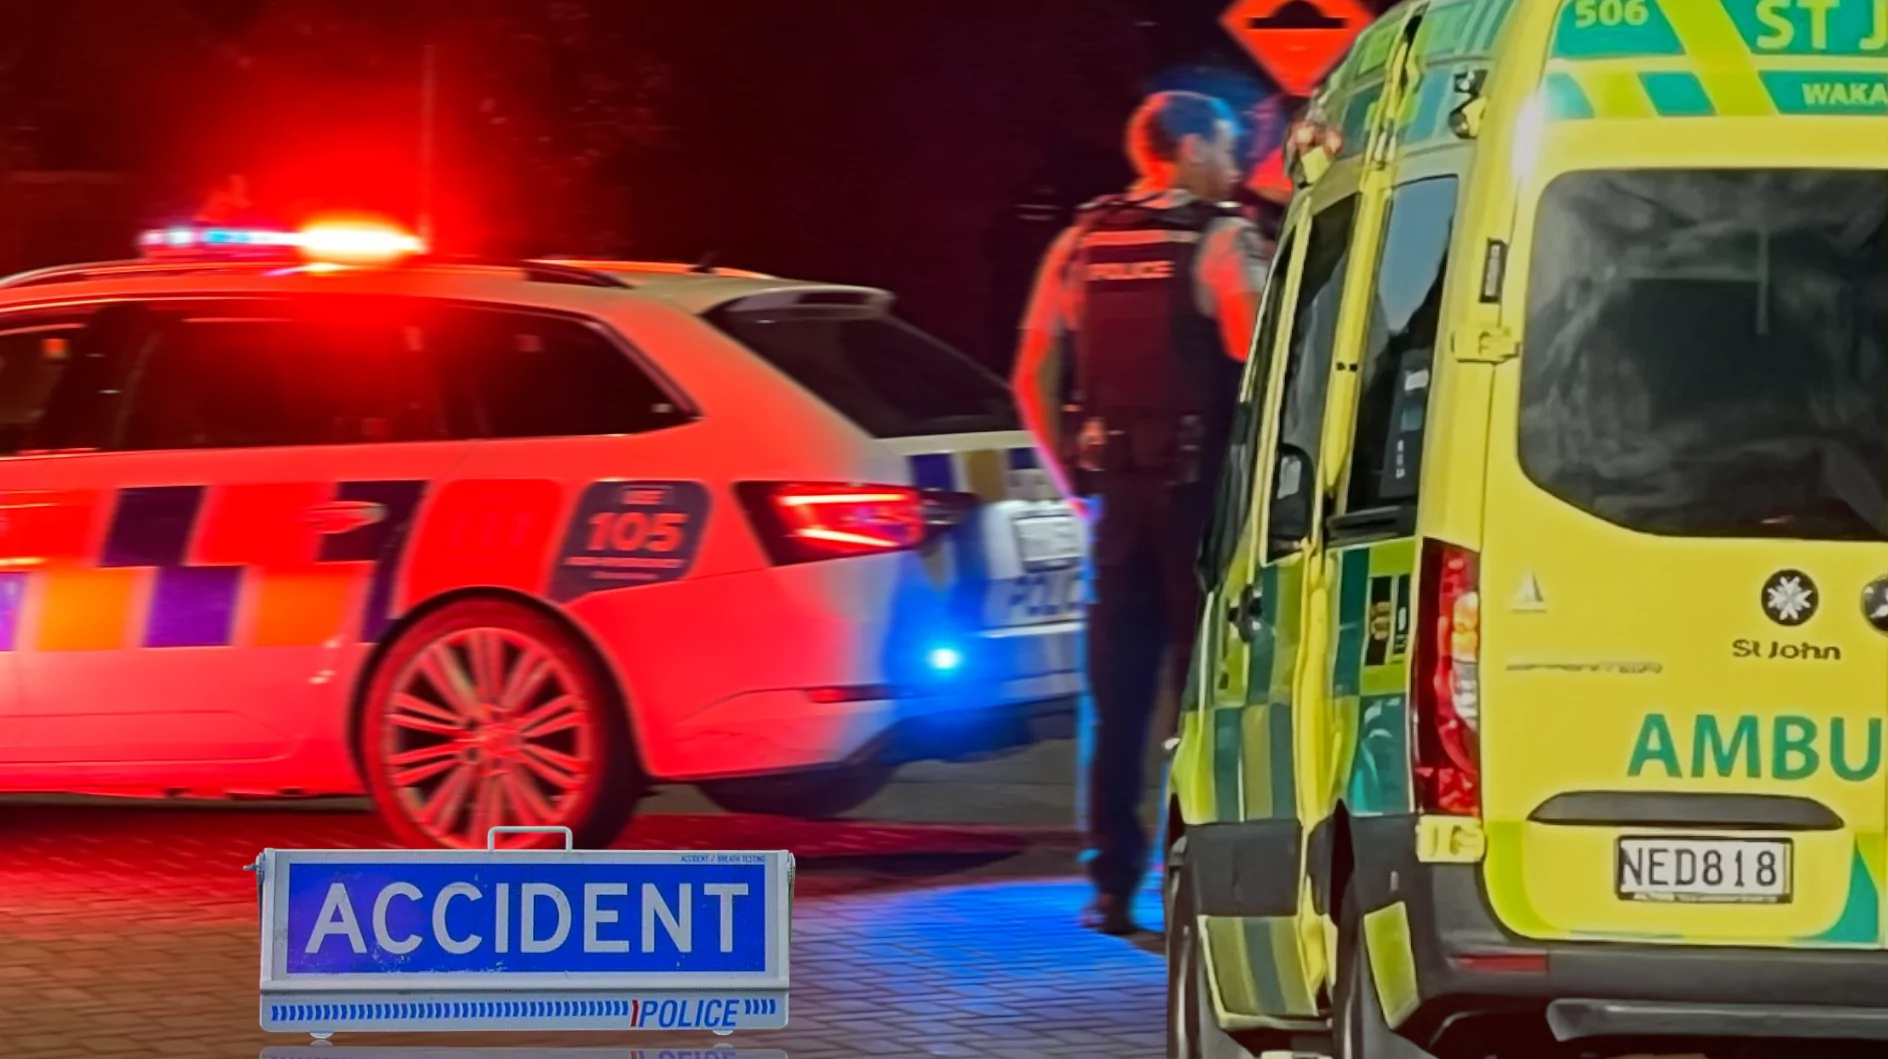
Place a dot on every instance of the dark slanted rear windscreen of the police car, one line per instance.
(879, 371)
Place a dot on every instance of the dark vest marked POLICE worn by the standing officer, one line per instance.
(1147, 356)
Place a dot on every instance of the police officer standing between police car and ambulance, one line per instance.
(1156, 295)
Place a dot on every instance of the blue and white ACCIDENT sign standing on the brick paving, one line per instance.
(428, 941)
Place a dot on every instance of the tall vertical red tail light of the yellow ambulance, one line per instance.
(1449, 686)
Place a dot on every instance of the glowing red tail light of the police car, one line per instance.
(805, 522)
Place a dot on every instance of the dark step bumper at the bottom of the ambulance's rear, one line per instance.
(1574, 1020)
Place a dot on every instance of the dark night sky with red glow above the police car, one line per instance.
(885, 143)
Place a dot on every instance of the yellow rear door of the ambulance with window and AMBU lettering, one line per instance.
(1685, 573)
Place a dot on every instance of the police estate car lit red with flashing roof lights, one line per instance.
(505, 545)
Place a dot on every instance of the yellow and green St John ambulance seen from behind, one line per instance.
(1545, 664)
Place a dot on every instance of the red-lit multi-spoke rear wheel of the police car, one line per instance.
(492, 714)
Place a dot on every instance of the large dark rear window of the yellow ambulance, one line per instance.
(1708, 352)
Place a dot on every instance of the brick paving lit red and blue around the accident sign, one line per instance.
(131, 932)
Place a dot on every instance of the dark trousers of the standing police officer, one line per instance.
(1145, 613)
